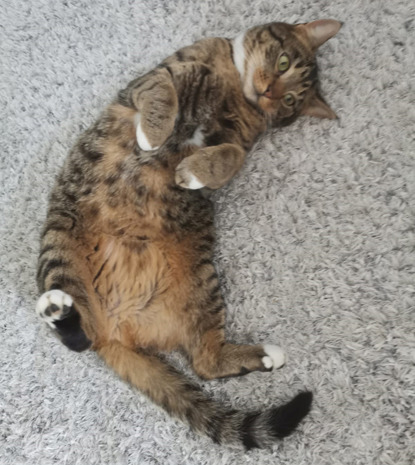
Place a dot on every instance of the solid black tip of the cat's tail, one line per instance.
(286, 418)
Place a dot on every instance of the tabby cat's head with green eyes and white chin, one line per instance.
(278, 69)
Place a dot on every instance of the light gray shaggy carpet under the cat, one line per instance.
(315, 249)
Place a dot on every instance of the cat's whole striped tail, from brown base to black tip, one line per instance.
(181, 399)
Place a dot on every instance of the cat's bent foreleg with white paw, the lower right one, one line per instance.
(210, 167)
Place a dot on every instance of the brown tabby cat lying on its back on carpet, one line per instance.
(125, 266)
